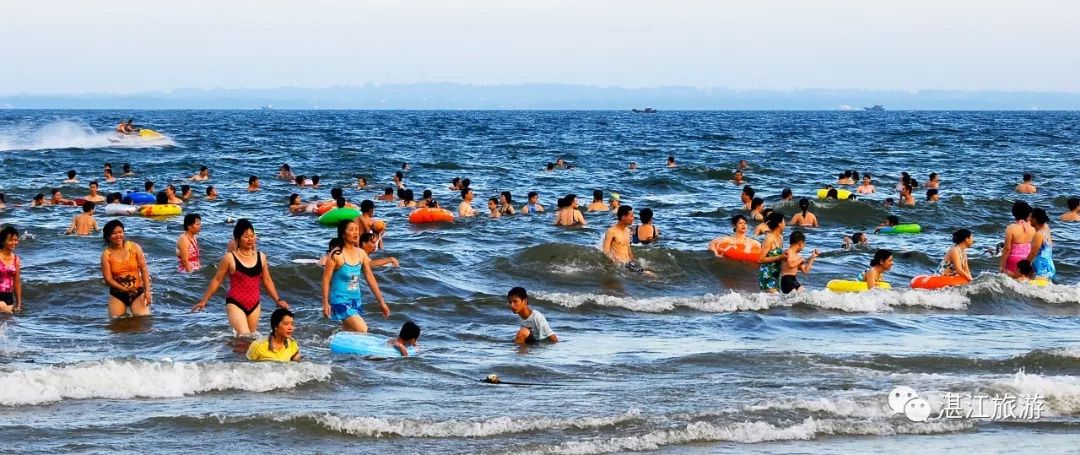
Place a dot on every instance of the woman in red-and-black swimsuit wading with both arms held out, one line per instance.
(247, 270)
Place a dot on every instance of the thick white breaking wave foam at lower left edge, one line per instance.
(138, 379)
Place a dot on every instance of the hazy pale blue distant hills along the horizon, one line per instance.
(454, 97)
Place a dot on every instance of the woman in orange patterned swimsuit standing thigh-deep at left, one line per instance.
(124, 267)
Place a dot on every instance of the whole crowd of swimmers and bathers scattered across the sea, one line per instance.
(1027, 252)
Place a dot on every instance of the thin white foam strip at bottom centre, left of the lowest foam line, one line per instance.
(376, 427)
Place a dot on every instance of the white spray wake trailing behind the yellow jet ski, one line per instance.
(69, 135)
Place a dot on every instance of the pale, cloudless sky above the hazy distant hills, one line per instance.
(58, 47)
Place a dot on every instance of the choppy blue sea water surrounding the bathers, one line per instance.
(696, 360)
